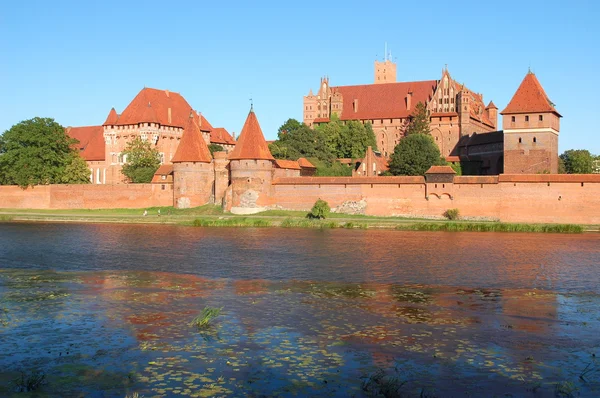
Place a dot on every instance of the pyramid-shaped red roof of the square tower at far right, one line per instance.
(530, 98)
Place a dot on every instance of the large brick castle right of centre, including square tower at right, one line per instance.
(463, 127)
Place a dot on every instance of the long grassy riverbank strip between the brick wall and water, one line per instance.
(213, 216)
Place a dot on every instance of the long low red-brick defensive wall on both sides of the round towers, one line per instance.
(535, 198)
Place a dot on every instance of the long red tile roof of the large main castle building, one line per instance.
(382, 101)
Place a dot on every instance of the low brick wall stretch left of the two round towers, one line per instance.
(86, 196)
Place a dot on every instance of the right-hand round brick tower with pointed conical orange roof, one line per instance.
(251, 166)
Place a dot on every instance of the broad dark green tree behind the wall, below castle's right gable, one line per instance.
(414, 155)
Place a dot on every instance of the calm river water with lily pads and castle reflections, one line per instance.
(105, 310)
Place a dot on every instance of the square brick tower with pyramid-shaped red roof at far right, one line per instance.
(531, 125)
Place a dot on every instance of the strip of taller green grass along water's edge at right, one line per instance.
(491, 227)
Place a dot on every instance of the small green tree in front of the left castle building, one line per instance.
(142, 161)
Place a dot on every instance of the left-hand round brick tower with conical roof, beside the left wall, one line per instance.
(193, 170)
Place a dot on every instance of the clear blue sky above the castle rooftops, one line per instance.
(74, 60)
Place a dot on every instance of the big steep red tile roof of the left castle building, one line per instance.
(160, 101)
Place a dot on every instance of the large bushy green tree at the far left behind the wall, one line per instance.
(36, 151)
